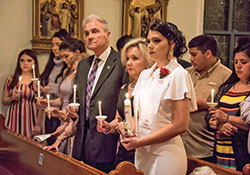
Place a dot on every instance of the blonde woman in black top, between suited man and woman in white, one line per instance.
(135, 58)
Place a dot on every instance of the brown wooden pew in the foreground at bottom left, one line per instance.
(19, 155)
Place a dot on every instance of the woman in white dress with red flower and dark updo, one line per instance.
(163, 97)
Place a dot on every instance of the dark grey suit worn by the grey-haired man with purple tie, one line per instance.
(91, 146)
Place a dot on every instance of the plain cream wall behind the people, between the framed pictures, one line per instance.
(16, 26)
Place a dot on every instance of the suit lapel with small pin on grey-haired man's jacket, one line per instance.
(107, 69)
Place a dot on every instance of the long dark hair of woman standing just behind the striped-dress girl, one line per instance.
(62, 35)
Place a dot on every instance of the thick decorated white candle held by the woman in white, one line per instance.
(128, 113)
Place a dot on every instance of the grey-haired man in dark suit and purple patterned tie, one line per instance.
(98, 78)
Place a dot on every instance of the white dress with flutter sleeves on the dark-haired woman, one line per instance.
(153, 110)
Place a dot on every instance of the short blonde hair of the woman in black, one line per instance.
(140, 43)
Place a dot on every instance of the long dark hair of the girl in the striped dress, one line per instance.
(18, 70)
